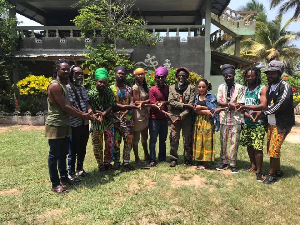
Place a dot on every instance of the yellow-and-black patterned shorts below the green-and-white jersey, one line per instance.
(253, 136)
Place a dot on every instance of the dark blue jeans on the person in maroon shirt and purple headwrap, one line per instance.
(158, 127)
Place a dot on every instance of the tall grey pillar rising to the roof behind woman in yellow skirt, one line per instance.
(207, 50)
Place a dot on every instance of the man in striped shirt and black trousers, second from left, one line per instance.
(80, 128)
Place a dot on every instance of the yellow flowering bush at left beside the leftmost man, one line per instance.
(34, 85)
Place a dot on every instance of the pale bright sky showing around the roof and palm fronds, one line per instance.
(234, 4)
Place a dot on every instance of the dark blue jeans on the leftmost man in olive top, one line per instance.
(57, 158)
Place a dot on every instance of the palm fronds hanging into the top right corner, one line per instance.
(286, 6)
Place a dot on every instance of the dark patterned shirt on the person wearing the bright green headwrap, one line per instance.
(100, 102)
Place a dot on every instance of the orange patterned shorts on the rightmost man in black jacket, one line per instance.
(275, 141)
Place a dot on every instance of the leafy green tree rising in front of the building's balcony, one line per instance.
(111, 21)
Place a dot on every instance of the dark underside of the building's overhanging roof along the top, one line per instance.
(60, 12)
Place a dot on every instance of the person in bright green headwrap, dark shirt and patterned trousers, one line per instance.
(102, 100)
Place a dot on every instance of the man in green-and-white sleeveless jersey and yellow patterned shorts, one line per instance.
(253, 132)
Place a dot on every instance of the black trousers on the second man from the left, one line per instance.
(77, 149)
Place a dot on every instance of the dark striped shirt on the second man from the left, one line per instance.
(79, 104)
